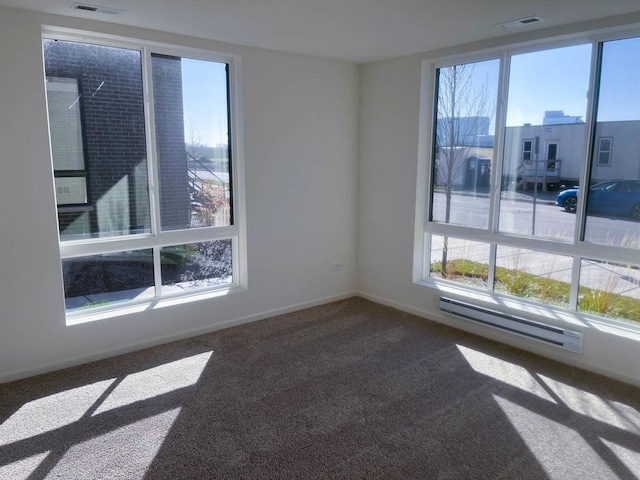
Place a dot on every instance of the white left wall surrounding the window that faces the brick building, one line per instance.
(300, 129)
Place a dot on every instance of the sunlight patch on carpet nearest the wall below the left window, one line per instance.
(156, 381)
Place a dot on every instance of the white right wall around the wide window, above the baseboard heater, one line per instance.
(390, 113)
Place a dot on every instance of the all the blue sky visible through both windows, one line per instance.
(555, 79)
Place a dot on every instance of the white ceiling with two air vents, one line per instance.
(354, 30)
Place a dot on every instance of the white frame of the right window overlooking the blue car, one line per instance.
(577, 249)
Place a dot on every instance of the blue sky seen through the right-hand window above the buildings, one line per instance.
(558, 79)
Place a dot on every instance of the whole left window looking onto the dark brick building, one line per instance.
(146, 190)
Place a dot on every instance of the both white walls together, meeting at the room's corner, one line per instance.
(307, 188)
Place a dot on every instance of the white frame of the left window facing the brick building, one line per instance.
(158, 238)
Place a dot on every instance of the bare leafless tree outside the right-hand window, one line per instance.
(463, 112)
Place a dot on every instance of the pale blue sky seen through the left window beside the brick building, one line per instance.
(204, 93)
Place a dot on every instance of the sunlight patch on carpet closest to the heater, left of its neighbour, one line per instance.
(504, 371)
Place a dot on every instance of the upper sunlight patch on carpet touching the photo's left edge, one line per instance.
(51, 412)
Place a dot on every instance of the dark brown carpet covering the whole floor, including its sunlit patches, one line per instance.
(347, 390)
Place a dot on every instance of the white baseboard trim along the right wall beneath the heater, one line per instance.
(573, 360)
